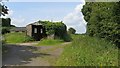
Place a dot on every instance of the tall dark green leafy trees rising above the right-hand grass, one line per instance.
(103, 20)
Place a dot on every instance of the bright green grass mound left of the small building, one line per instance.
(17, 38)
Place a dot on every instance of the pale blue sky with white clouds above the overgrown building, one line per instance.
(23, 13)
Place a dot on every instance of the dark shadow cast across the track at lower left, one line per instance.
(20, 54)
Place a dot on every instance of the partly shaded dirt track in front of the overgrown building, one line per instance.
(27, 54)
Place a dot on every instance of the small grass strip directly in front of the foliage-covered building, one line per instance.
(48, 42)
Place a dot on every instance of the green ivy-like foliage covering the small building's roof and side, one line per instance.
(59, 29)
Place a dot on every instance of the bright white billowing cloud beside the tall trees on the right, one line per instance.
(76, 20)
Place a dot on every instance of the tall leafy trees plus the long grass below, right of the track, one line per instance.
(97, 47)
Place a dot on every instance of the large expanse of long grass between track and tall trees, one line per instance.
(89, 51)
